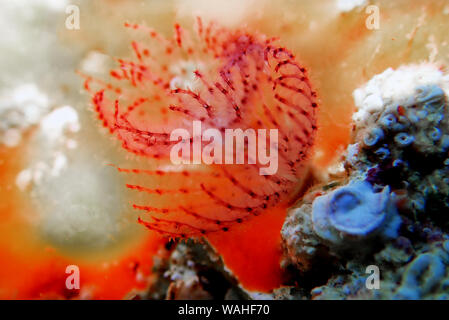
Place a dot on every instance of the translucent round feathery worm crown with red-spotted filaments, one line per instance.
(227, 79)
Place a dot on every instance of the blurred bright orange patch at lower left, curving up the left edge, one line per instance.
(32, 269)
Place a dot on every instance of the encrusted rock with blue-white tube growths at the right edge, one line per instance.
(385, 218)
